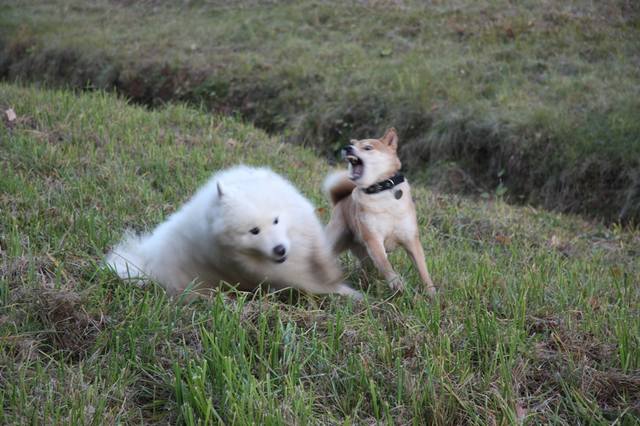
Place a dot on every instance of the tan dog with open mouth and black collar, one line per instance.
(374, 212)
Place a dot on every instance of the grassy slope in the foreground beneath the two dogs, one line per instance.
(534, 321)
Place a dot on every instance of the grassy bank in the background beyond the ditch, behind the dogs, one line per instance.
(541, 97)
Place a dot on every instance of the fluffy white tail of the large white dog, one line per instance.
(127, 259)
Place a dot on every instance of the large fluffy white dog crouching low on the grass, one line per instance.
(245, 226)
